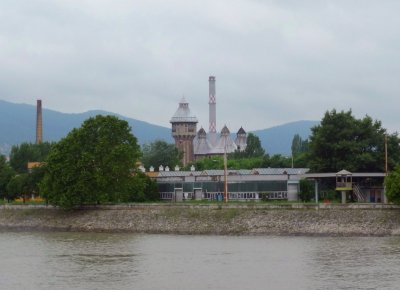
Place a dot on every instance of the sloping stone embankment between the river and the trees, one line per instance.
(256, 219)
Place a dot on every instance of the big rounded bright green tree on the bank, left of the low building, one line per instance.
(93, 164)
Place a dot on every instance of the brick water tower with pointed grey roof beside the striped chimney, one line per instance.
(184, 129)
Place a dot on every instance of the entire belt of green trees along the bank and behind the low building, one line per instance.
(98, 162)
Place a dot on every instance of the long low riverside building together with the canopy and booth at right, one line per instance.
(266, 183)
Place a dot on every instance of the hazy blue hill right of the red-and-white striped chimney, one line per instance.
(278, 140)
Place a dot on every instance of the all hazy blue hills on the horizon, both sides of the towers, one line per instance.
(18, 125)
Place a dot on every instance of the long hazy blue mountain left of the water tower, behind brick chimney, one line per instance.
(18, 125)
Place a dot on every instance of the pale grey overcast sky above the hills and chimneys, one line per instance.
(274, 61)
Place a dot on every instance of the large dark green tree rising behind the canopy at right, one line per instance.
(343, 142)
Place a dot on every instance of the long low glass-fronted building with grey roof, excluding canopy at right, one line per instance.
(255, 184)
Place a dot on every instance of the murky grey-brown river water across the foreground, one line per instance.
(132, 261)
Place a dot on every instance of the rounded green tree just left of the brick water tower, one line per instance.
(160, 153)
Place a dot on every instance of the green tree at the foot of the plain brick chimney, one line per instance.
(28, 152)
